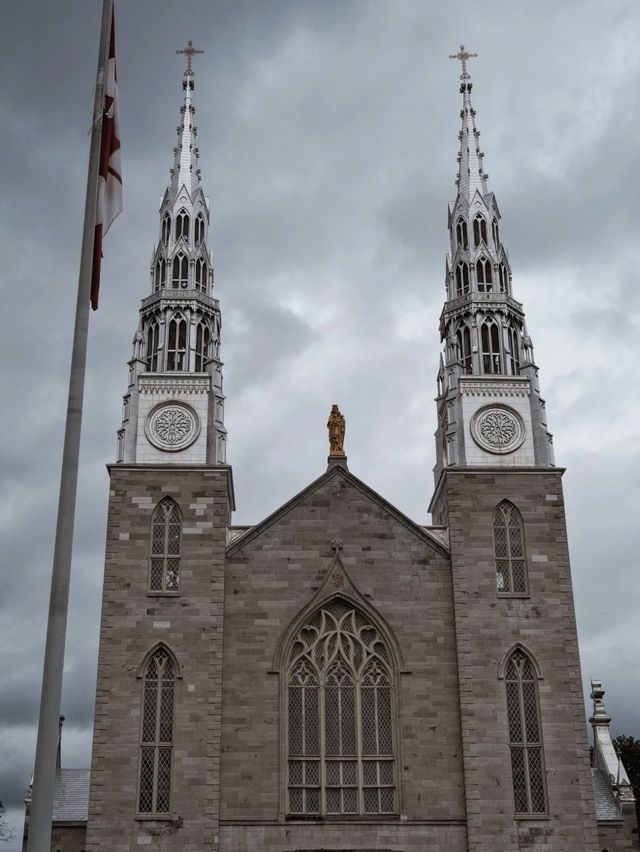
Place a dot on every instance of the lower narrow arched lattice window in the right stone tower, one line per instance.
(525, 736)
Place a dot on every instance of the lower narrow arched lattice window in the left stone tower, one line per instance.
(156, 740)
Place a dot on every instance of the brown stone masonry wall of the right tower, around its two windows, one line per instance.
(486, 628)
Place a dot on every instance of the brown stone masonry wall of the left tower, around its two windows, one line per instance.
(133, 621)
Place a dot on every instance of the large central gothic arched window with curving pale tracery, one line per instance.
(340, 716)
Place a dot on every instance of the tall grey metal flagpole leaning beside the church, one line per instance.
(44, 775)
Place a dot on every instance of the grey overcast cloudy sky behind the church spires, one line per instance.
(328, 139)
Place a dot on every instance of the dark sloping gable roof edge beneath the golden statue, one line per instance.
(338, 470)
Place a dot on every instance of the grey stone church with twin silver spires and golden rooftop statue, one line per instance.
(339, 676)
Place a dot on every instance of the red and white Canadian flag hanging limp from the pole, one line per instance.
(109, 203)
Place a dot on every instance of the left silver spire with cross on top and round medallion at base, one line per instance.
(173, 411)
